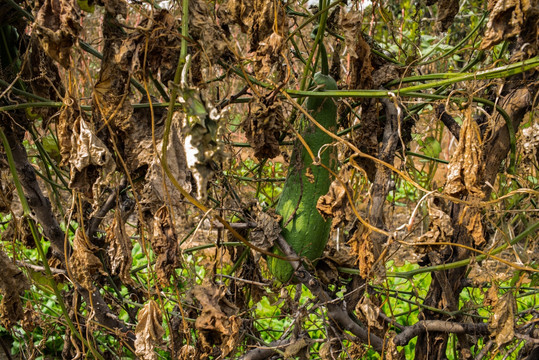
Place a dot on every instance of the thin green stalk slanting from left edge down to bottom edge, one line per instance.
(35, 234)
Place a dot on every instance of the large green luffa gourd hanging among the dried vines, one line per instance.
(307, 232)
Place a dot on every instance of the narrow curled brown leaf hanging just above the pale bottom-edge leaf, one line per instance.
(165, 245)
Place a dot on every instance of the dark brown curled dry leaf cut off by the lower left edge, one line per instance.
(13, 283)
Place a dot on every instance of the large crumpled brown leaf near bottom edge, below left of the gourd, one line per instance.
(218, 323)
